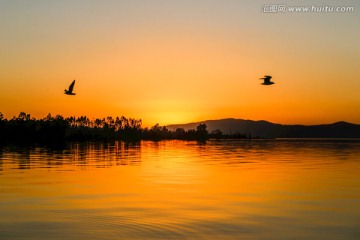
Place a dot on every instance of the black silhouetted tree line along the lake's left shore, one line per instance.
(25, 128)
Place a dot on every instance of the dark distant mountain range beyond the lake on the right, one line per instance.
(265, 129)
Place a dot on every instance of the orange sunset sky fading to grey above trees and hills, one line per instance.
(179, 61)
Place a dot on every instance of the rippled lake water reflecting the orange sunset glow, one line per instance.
(260, 189)
